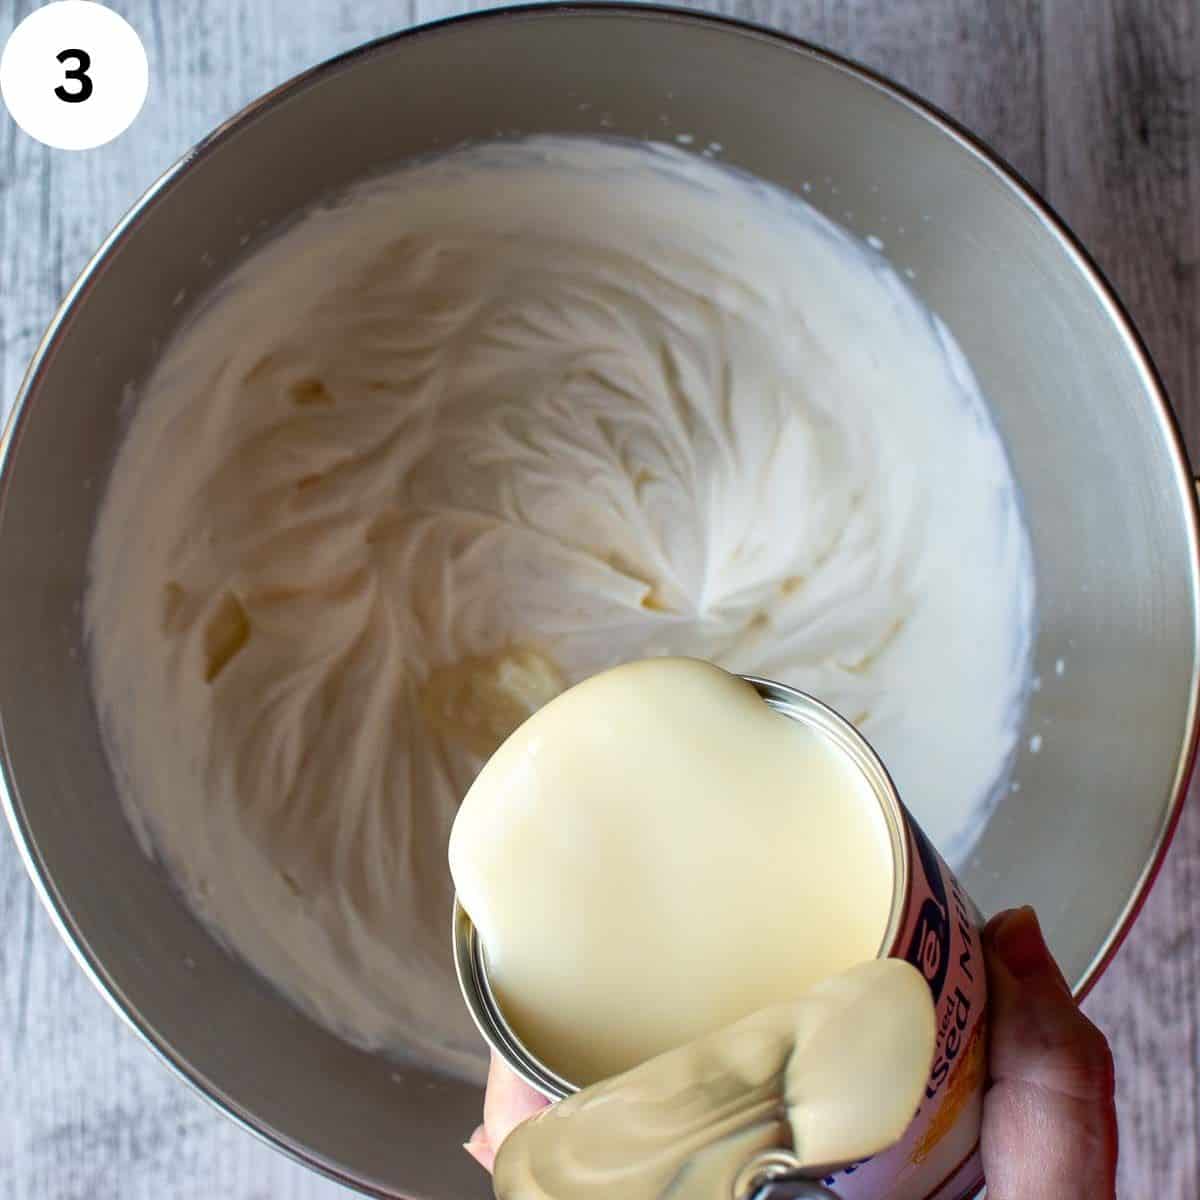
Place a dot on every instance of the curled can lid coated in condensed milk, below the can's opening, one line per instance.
(817, 1084)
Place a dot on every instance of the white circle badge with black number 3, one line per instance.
(75, 75)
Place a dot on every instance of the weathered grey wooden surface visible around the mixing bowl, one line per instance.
(1095, 101)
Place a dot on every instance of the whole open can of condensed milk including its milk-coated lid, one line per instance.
(673, 886)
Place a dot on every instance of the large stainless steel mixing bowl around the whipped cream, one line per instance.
(1094, 446)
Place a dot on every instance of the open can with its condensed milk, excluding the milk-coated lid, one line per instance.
(733, 837)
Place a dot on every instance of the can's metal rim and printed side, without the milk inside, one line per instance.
(933, 925)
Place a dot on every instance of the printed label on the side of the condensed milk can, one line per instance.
(939, 1156)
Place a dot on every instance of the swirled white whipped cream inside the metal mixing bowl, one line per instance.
(497, 422)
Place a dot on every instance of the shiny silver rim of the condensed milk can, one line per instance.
(471, 964)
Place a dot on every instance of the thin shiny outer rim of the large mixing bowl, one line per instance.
(567, 10)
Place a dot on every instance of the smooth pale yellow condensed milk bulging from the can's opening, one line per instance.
(652, 856)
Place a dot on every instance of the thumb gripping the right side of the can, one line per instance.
(1049, 1126)
